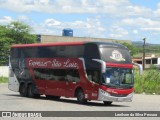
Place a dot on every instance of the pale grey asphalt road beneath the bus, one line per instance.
(12, 101)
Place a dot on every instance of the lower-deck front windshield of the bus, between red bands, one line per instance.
(118, 77)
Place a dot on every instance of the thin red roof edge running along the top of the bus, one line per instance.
(100, 44)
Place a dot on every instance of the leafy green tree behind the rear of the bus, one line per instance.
(14, 33)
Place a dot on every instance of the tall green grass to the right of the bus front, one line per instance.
(148, 83)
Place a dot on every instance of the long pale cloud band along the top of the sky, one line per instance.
(109, 7)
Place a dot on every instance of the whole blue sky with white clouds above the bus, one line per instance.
(113, 19)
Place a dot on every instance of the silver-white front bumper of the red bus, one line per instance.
(105, 96)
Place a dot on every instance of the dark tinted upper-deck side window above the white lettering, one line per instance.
(53, 51)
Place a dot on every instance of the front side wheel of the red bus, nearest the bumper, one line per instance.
(81, 97)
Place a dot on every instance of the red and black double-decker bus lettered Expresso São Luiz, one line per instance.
(85, 70)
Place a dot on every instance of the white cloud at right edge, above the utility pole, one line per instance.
(140, 26)
